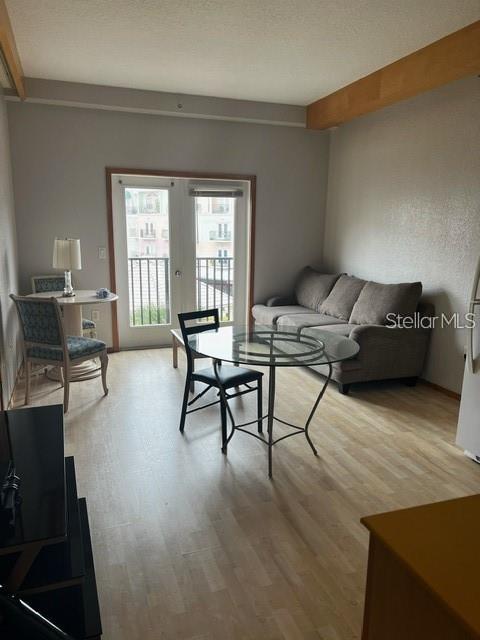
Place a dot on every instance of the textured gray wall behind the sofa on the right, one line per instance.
(404, 204)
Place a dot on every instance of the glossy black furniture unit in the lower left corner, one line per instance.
(46, 560)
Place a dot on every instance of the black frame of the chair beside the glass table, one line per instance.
(187, 331)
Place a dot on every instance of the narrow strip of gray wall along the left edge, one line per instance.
(8, 264)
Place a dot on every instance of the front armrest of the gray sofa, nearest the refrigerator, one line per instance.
(391, 351)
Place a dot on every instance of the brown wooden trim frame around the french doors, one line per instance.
(110, 171)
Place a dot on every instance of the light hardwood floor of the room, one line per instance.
(189, 543)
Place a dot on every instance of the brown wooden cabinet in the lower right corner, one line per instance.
(423, 578)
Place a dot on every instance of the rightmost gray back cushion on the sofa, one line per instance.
(377, 300)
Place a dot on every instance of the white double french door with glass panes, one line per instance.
(180, 244)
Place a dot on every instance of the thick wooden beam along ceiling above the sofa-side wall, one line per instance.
(450, 58)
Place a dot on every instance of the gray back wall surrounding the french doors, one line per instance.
(59, 158)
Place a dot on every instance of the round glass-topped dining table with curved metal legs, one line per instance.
(272, 347)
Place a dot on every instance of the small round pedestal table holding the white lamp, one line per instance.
(72, 325)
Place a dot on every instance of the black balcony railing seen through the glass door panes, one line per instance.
(149, 288)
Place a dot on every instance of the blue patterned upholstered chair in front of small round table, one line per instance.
(44, 342)
